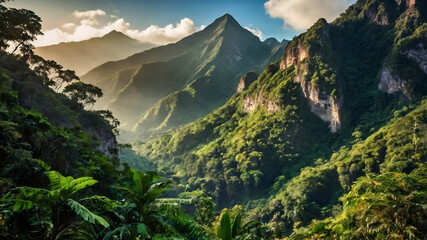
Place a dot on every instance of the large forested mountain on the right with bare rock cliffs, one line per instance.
(336, 85)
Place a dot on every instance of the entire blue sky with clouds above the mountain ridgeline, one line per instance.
(166, 21)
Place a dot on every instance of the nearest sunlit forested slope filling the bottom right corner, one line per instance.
(382, 178)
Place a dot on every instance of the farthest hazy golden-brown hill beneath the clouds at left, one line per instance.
(85, 55)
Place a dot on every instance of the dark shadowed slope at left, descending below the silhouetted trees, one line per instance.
(59, 110)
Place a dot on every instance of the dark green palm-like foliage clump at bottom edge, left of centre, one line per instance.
(145, 215)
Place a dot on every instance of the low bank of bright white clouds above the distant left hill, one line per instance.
(90, 27)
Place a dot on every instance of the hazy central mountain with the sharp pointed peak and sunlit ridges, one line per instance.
(168, 86)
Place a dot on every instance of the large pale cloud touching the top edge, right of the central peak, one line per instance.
(301, 14)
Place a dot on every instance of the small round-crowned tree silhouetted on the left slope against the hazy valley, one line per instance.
(83, 93)
